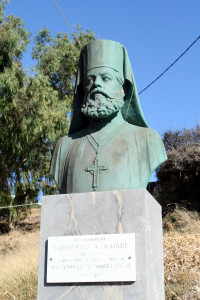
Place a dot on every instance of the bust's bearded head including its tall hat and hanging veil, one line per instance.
(104, 85)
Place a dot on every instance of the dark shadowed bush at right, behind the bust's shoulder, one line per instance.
(179, 176)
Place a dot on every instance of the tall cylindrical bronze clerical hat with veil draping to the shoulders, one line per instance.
(110, 54)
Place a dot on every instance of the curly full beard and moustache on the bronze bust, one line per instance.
(101, 106)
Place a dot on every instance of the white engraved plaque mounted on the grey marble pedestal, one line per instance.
(91, 258)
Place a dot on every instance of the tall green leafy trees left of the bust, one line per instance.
(34, 107)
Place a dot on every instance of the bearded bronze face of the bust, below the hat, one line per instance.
(104, 95)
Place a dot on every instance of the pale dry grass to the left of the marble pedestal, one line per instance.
(19, 263)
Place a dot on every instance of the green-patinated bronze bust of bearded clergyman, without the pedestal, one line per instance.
(109, 146)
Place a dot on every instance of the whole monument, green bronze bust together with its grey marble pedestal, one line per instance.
(102, 167)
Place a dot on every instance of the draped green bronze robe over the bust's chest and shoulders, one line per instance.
(129, 157)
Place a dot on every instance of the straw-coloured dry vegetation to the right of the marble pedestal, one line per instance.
(182, 255)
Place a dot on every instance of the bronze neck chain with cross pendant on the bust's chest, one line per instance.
(96, 169)
